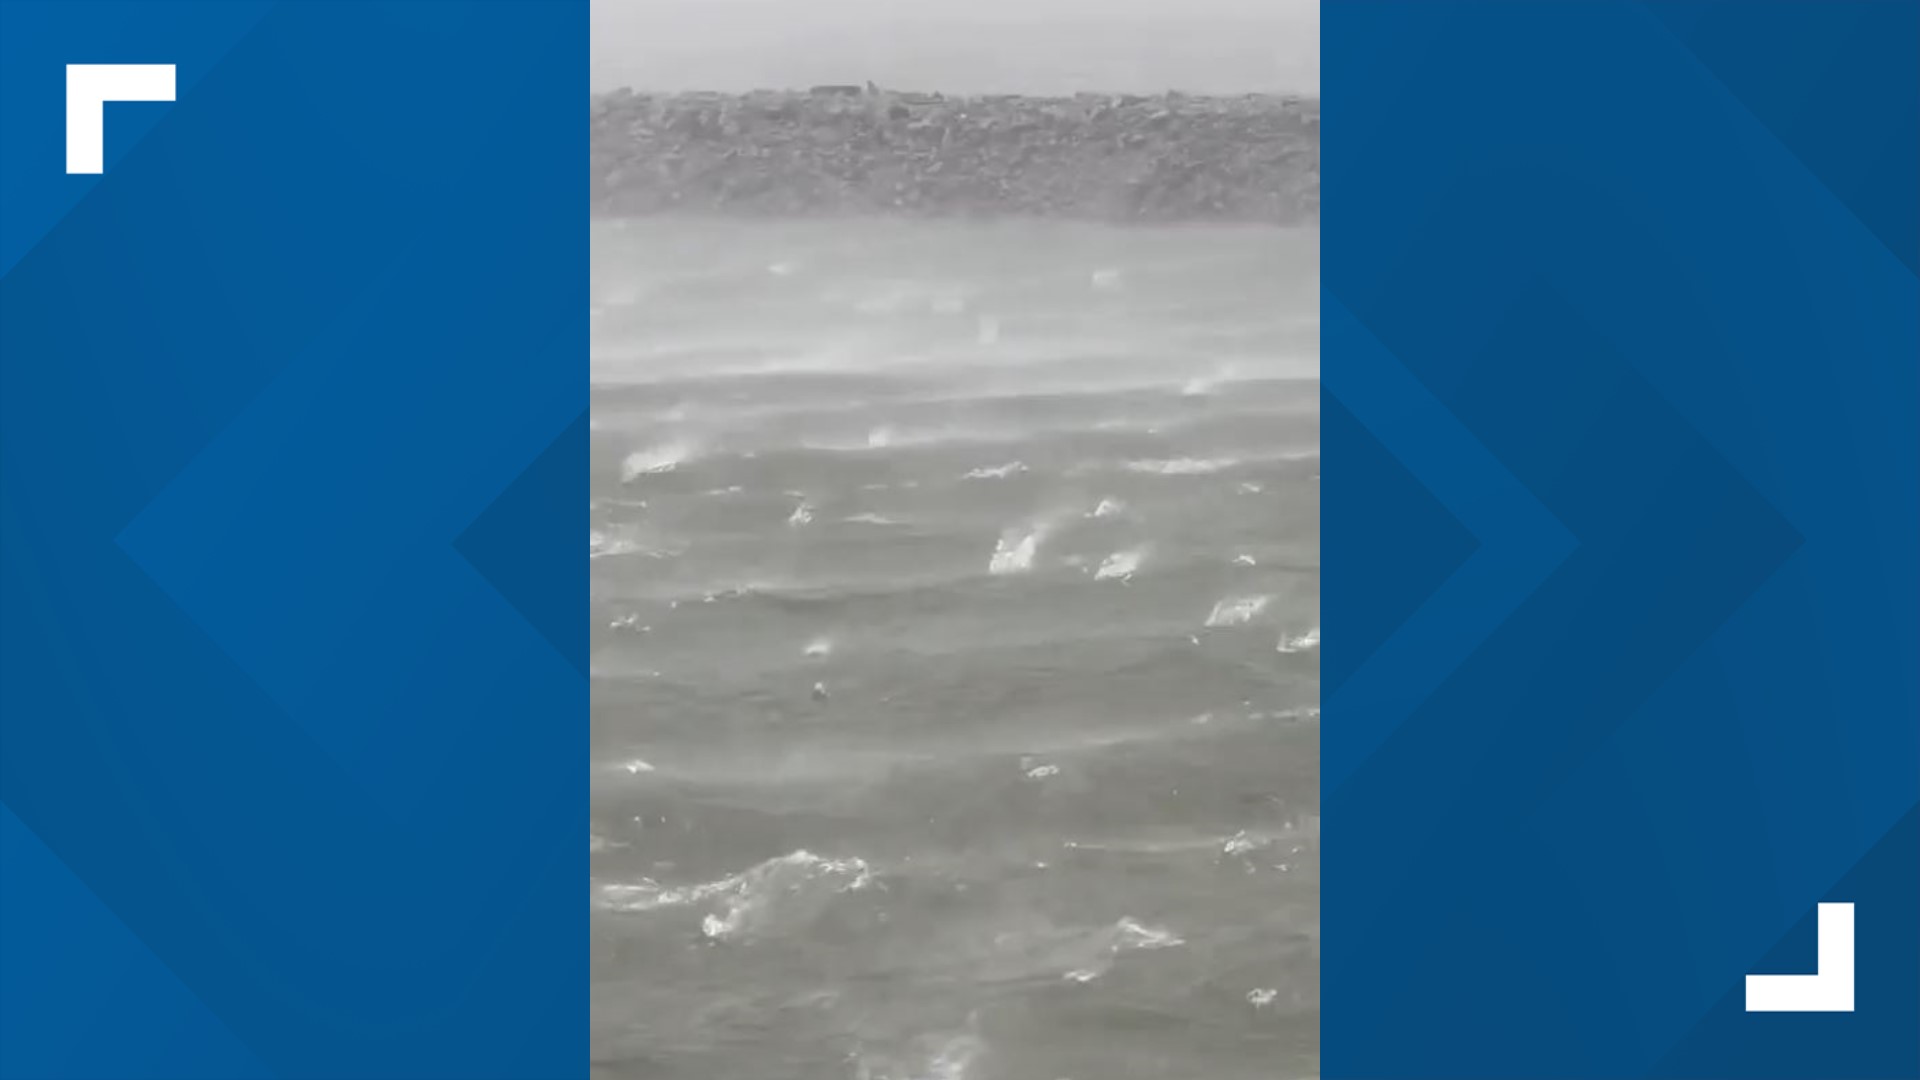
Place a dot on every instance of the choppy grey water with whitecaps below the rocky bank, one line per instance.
(957, 652)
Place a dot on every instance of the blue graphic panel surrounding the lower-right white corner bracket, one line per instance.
(1621, 524)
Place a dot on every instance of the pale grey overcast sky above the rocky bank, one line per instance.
(1034, 47)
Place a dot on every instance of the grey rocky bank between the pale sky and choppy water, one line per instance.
(861, 151)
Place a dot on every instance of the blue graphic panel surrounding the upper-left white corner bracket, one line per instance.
(293, 626)
